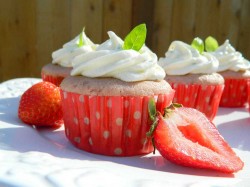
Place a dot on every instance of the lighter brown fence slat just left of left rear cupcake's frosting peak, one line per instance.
(53, 29)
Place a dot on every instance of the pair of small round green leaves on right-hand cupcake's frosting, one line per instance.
(210, 44)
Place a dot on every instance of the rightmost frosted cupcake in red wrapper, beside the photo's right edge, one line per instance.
(236, 71)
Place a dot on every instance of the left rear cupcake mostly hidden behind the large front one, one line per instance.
(61, 65)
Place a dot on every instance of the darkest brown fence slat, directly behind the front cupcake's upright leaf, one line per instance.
(143, 12)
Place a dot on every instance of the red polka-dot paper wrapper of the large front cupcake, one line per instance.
(110, 125)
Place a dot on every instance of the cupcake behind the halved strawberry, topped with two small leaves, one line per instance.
(192, 74)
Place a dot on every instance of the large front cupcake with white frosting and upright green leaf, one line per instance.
(105, 101)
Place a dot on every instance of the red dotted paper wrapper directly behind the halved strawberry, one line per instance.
(201, 97)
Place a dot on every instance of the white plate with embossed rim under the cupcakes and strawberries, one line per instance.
(44, 157)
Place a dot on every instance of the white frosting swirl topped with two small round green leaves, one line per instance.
(182, 59)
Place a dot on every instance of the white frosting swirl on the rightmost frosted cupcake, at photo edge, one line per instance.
(230, 59)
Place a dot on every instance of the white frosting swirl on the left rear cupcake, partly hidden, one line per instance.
(70, 50)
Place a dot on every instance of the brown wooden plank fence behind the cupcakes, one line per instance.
(30, 30)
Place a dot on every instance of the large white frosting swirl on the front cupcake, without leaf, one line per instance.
(110, 60)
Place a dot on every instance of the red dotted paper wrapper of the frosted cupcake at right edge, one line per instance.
(235, 93)
